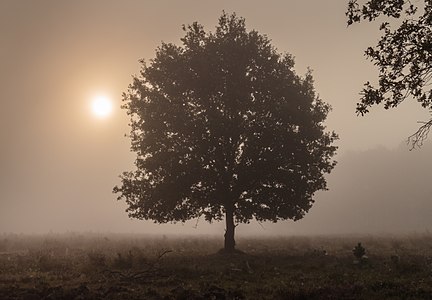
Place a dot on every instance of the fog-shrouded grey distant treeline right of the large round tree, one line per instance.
(377, 191)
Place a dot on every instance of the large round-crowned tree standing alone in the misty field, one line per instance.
(223, 127)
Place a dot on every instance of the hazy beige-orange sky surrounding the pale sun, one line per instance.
(59, 163)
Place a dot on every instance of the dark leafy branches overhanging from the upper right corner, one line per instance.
(403, 56)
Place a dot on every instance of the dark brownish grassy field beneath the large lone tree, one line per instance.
(73, 266)
